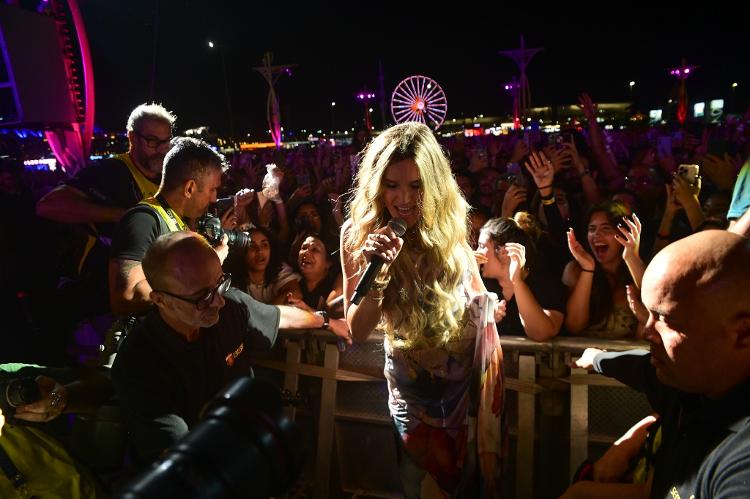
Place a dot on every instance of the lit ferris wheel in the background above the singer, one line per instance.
(419, 98)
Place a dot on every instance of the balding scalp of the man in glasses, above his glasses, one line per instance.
(173, 256)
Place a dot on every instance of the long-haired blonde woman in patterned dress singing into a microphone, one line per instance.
(443, 358)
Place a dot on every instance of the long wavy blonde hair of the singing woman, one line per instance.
(423, 305)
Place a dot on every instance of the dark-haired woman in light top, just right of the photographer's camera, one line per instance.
(261, 272)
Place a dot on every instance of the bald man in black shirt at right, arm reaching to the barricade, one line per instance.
(697, 374)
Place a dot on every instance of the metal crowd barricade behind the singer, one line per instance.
(549, 406)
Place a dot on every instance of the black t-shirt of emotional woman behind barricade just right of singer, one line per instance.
(546, 287)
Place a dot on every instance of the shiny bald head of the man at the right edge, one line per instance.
(697, 291)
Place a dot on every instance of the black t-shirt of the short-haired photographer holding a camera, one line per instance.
(137, 230)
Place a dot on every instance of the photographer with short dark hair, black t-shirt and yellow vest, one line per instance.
(190, 180)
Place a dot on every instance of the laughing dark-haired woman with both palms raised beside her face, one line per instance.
(598, 300)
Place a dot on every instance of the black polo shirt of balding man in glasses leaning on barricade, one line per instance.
(163, 381)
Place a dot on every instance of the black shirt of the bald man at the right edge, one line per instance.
(705, 446)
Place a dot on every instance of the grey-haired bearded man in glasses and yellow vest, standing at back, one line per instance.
(99, 195)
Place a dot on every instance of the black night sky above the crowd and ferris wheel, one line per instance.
(338, 47)
